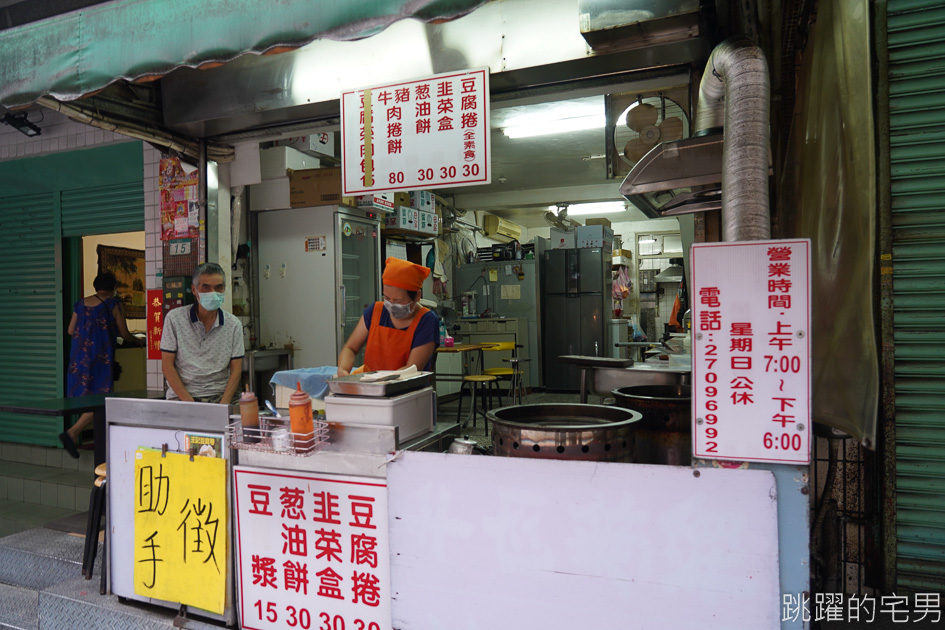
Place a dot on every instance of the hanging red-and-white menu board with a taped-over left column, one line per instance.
(427, 133)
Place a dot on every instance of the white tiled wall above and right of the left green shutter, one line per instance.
(60, 134)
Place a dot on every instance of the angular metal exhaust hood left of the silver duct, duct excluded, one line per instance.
(678, 177)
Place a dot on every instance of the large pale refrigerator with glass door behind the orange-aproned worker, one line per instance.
(318, 269)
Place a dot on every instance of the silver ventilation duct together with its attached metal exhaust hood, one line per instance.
(681, 177)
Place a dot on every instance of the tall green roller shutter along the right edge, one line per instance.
(916, 76)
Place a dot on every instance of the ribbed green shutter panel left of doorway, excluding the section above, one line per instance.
(31, 328)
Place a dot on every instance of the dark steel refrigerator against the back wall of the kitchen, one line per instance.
(576, 299)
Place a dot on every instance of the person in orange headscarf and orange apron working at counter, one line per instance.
(398, 331)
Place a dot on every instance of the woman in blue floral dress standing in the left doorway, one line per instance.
(97, 321)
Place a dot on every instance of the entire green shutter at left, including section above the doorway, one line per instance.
(44, 199)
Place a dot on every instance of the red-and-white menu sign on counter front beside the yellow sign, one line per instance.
(313, 550)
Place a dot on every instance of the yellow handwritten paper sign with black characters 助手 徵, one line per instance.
(180, 529)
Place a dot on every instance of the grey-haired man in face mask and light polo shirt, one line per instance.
(201, 345)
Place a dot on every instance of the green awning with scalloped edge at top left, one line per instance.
(77, 53)
